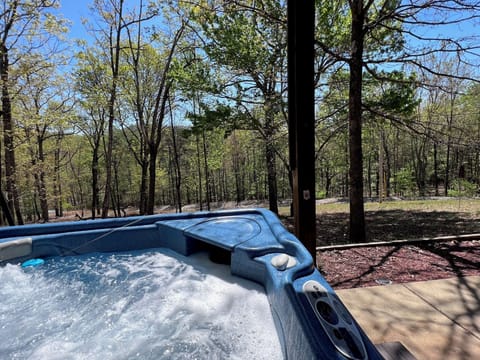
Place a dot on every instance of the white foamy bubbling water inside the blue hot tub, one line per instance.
(145, 305)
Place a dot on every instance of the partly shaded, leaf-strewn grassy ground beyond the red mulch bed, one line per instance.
(397, 220)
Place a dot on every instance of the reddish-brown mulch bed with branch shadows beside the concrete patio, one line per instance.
(381, 265)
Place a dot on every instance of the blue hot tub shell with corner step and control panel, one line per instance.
(310, 320)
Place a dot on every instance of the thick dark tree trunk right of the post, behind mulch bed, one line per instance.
(357, 212)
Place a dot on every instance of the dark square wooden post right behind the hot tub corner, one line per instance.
(301, 118)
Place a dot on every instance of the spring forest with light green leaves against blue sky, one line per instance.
(185, 102)
